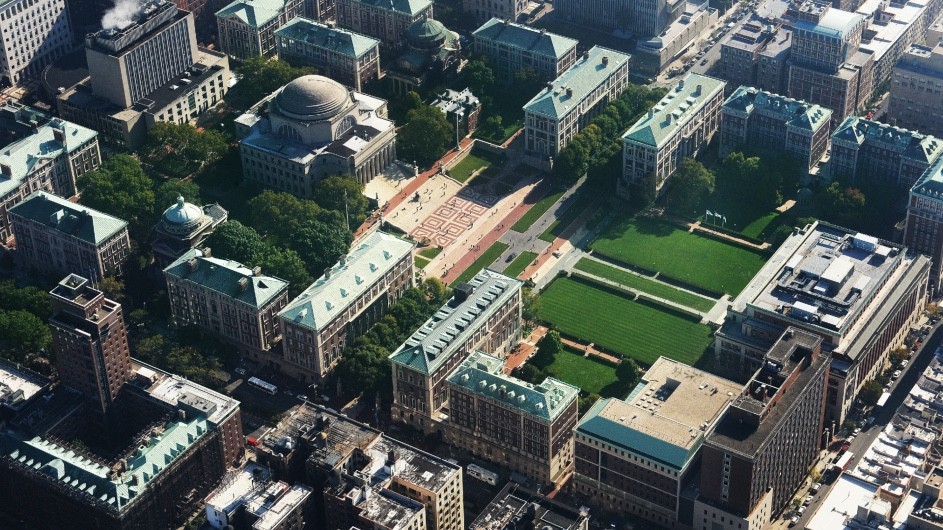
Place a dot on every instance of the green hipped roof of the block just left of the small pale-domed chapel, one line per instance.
(68, 217)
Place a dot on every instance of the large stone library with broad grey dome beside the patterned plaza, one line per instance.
(312, 128)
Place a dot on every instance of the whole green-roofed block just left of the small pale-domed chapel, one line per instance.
(60, 237)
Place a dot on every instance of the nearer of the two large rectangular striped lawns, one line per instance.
(635, 329)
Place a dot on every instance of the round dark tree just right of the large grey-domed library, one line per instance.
(425, 137)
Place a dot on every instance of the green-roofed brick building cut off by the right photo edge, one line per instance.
(923, 231)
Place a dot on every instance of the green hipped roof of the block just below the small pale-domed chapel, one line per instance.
(226, 277)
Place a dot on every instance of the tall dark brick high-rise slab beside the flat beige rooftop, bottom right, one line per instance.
(760, 450)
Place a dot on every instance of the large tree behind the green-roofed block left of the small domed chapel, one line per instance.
(121, 188)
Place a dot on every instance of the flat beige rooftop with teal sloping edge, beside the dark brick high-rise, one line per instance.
(665, 416)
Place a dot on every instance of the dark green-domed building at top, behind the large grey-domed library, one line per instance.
(432, 51)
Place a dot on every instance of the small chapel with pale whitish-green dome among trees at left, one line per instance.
(184, 226)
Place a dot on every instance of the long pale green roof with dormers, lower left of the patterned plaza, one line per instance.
(367, 263)
